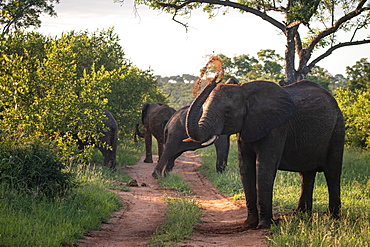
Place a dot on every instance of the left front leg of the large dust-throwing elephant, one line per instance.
(247, 167)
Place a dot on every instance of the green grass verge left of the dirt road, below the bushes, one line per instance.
(29, 221)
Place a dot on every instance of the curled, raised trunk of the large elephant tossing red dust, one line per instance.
(195, 130)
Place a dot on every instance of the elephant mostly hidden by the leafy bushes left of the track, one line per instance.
(110, 138)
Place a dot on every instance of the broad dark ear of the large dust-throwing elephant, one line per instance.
(268, 107)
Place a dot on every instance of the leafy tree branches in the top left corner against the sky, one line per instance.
(17, 14)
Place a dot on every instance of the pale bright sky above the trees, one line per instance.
(152, 40)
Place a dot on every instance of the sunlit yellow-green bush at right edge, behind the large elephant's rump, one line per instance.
(355, 106)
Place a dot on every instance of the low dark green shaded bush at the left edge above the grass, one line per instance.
(33, 167)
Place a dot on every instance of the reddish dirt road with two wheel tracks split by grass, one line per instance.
(144, 212)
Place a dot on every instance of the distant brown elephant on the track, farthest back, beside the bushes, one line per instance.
(154, 117)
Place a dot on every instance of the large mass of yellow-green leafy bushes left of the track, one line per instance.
(58, 86)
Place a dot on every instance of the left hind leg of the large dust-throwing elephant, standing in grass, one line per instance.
(305, 200)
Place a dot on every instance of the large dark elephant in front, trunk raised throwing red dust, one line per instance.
(296, 128)
